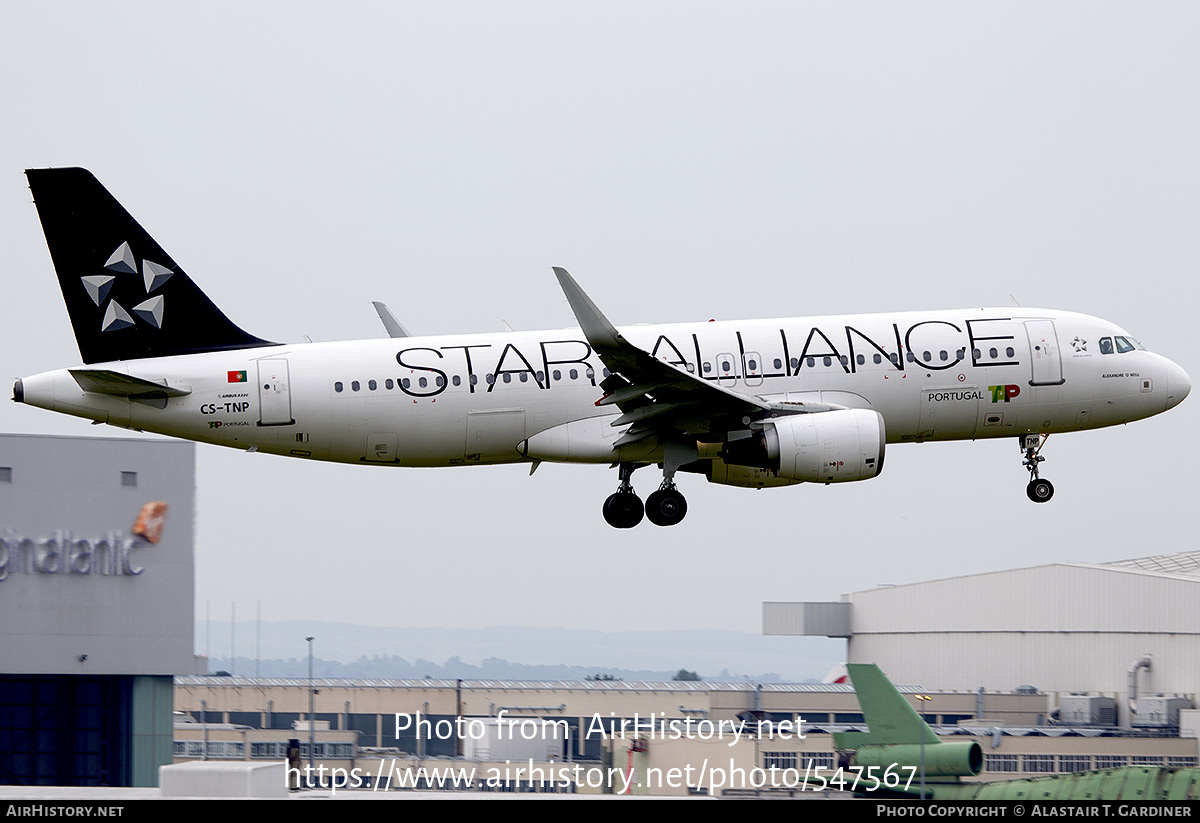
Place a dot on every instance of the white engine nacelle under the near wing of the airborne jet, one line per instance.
(820, 448)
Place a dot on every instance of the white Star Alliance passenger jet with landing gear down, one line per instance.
(754, 404)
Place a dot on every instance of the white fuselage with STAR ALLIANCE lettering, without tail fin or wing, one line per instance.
(465, 400)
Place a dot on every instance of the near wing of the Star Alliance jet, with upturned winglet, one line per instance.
(657, 397)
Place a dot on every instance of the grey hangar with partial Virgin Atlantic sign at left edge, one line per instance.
(97, 606)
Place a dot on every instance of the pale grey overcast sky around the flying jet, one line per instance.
(683, 161)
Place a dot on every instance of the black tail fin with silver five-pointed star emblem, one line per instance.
(125, 296)
